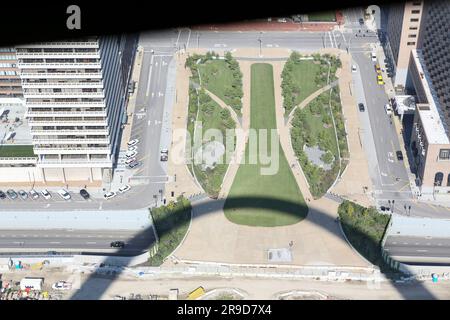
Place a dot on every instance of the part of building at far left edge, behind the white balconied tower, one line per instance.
(9, 74)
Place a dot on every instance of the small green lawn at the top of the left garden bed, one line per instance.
(218, 78)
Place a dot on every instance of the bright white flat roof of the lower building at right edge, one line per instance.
(435, 129)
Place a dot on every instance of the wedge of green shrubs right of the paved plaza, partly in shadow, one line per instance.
(365, 228)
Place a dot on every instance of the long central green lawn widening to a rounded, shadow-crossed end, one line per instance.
(264, 200)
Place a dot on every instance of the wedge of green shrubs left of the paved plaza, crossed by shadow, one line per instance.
(171, 224)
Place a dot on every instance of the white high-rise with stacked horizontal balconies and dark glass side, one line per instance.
(75, 93)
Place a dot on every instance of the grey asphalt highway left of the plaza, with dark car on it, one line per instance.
(55, 240)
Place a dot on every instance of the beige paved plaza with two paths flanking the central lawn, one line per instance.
(317, 239)
